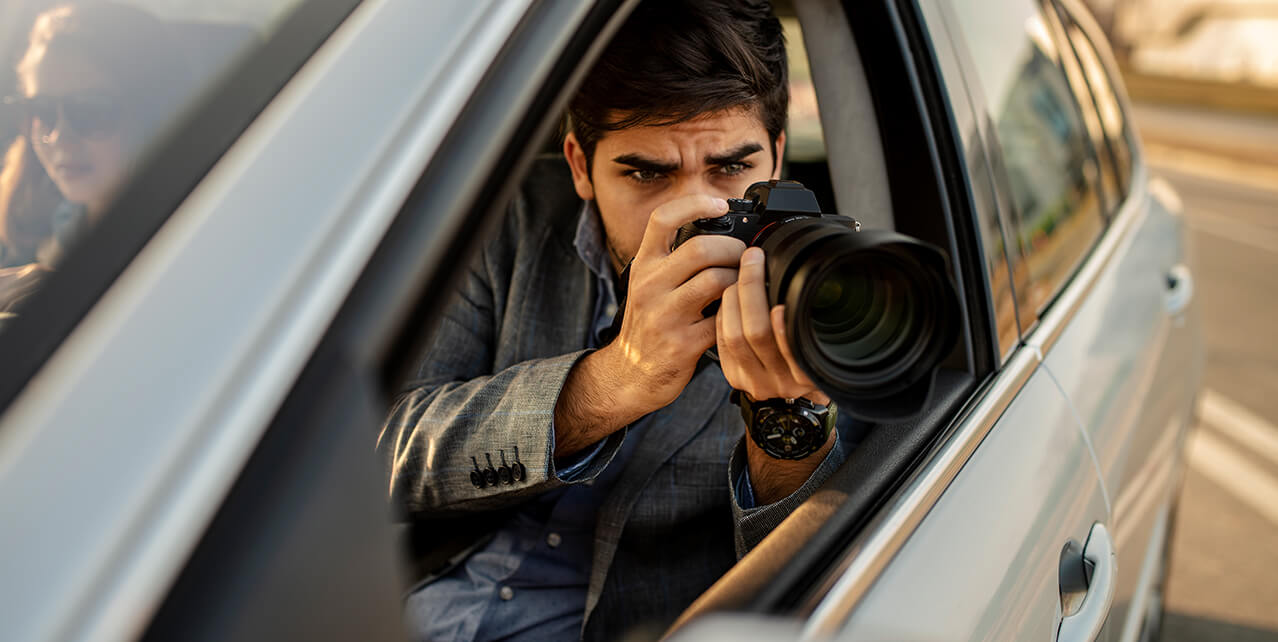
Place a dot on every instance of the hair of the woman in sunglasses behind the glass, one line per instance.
(139, 53)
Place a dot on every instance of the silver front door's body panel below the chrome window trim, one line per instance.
(983, 565)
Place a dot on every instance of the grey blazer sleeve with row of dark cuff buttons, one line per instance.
(458, 415)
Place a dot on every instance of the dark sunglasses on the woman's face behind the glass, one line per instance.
(89, 117)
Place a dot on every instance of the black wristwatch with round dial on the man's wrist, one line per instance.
(787, 429)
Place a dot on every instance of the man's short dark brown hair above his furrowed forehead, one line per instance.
(674, 61)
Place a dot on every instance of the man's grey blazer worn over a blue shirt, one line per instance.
(489, 384)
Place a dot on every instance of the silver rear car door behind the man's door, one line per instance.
(1130, 360)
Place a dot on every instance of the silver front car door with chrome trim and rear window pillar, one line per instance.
(974, 547)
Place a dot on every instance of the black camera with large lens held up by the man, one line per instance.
(870, 315)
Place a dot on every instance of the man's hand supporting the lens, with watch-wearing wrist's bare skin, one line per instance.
(756, 359)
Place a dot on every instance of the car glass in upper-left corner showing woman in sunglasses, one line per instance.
(89, 88)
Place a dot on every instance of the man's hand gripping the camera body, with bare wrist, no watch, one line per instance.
(663, 333)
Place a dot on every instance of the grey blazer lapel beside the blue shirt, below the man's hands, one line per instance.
(670, 429)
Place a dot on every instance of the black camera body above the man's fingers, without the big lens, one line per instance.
(765, 208)
